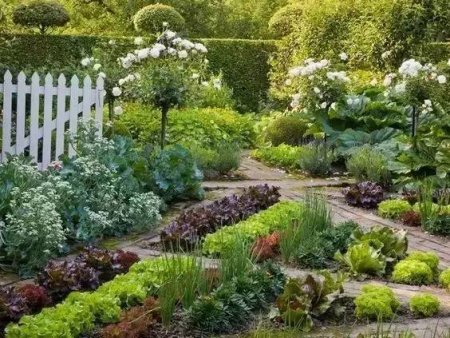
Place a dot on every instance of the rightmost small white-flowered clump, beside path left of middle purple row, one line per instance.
(143, 211)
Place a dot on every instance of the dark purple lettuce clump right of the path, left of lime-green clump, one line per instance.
(365, 194)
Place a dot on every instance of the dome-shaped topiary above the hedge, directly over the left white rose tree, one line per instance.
(151, 19)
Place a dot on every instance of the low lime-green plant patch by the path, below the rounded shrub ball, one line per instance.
(283, 156)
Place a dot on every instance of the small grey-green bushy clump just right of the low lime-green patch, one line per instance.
(316, 159)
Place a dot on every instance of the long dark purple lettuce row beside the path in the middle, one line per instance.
(191, 226)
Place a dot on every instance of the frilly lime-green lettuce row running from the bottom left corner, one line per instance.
(80, 312)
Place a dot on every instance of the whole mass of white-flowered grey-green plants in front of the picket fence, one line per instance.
(81, 199)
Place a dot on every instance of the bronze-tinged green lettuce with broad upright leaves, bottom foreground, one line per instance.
(309, 297)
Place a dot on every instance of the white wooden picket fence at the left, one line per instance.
(35, 119)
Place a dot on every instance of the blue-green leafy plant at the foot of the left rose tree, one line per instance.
(175, 174)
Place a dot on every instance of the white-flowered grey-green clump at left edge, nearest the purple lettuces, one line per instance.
(33, 232)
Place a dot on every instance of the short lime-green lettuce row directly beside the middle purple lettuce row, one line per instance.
(276, 218)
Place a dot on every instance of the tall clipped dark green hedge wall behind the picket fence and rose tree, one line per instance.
(244, 63)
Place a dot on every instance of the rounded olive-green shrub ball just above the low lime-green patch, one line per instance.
(286, 129)
